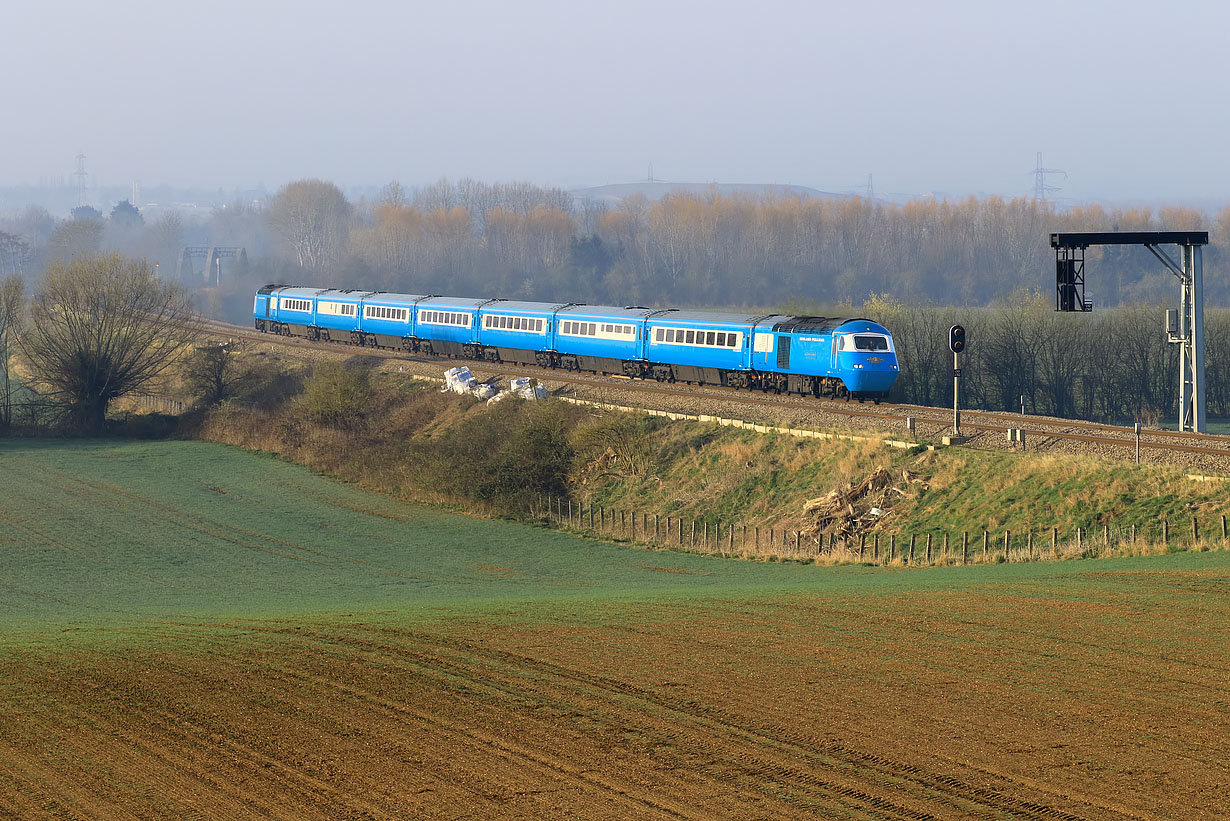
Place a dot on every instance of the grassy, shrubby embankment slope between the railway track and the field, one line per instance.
(408, 440)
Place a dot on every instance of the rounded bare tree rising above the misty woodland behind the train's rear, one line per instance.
(313, 218)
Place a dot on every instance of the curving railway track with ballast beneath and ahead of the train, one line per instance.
(932, 423)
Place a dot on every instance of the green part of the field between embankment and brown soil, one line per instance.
(108, 534)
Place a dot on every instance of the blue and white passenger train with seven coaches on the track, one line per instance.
(798, 355)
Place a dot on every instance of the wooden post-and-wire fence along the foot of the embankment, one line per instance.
(879, 547)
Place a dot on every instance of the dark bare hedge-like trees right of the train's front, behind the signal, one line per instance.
(1114, 365)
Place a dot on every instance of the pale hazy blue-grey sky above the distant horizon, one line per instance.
(1127, 97)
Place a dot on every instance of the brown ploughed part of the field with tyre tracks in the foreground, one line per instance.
(1042, 701)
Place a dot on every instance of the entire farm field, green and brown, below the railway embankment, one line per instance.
(533, 675)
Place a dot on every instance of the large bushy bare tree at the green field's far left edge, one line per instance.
(103, 328)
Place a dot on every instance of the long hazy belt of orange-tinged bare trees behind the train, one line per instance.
(527, 242)
